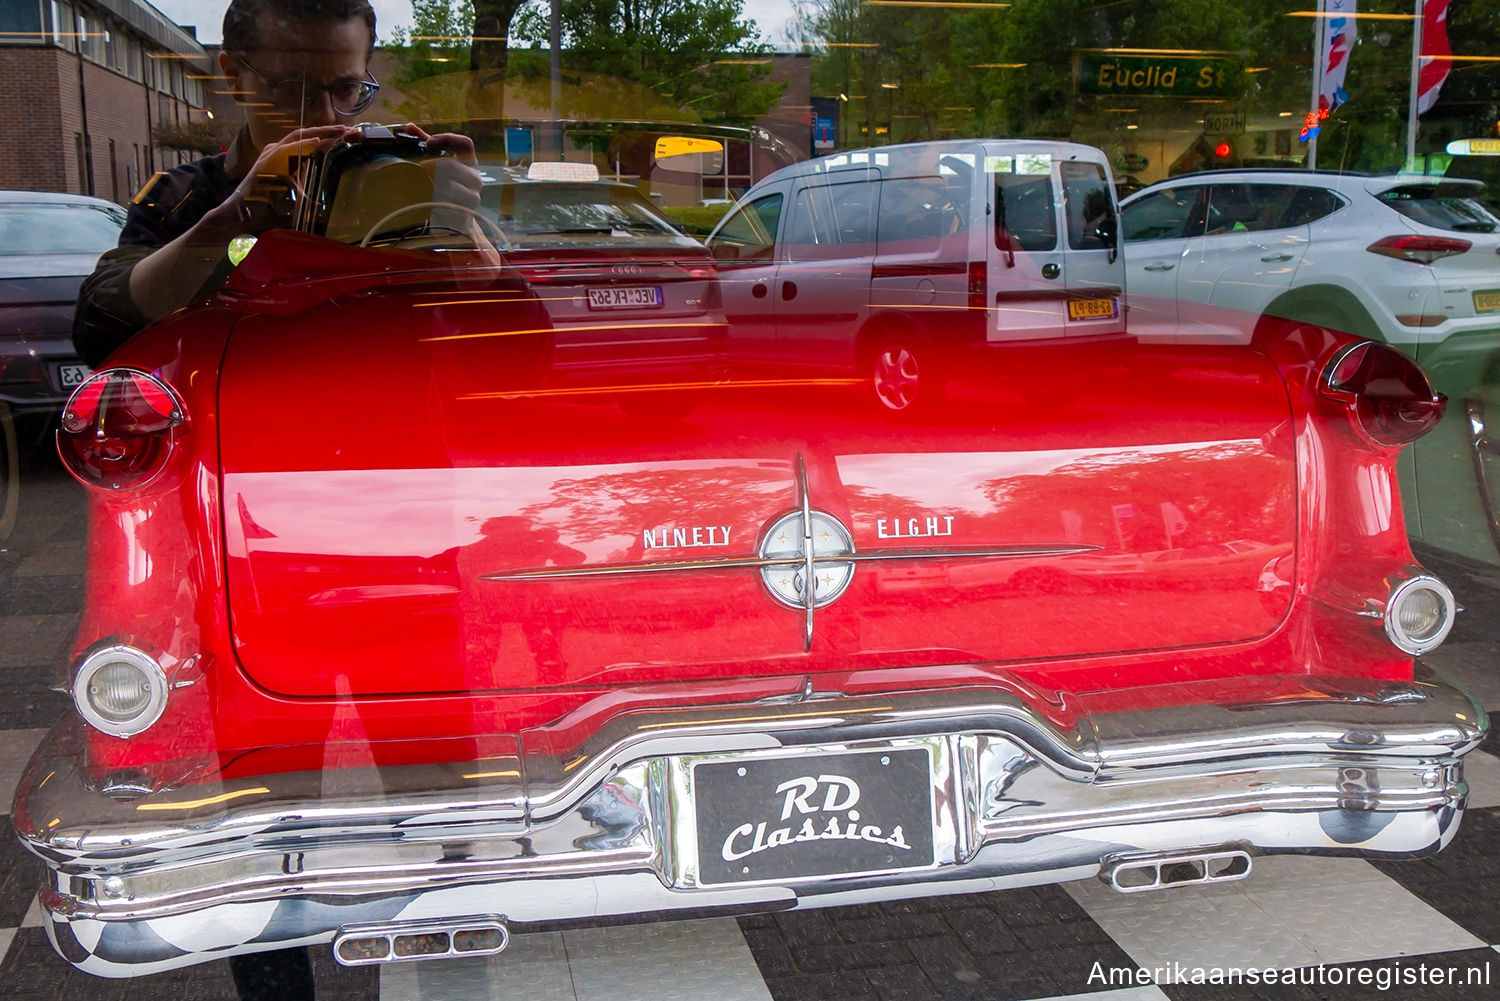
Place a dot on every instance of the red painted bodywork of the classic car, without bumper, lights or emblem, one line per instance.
(355, 460)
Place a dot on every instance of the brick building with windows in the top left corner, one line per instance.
(83, 85)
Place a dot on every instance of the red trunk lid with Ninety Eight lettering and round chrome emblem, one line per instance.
(415, 505)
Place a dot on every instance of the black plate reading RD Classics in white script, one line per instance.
(814, 816)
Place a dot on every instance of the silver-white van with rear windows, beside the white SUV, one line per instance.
(910, 265)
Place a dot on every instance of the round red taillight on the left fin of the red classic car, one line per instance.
(119, 430)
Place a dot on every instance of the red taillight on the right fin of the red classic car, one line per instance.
(1387, 394)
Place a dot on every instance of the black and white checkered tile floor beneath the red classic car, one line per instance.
(1343, 927)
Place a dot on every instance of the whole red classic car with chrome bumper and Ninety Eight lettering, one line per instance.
(397, 645)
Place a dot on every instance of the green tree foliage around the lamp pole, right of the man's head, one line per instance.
(694, 53)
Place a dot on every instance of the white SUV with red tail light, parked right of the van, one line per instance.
(1405, 260)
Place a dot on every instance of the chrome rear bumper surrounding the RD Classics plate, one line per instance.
(593, 817)
